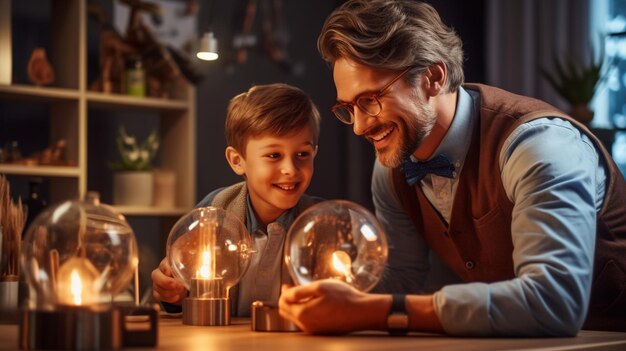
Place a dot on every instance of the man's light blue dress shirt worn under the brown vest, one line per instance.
(556, 180)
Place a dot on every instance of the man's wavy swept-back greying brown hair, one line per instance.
(392, 34)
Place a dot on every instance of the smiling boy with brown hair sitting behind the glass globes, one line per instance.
(271, 132)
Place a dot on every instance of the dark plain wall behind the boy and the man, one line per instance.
(344, 162)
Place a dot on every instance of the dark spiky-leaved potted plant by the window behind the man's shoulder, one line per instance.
(576, 83)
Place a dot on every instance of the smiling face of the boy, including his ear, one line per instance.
(278, 171)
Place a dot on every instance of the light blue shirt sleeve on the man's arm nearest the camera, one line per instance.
(552, 175)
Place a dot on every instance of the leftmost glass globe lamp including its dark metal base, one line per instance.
(76, 256)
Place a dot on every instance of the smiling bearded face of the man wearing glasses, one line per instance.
(405, 119)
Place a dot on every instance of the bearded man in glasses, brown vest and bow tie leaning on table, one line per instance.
(521, 230)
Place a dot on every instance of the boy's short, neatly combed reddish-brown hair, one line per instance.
(277, 109)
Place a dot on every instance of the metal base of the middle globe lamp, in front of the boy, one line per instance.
(206, 311)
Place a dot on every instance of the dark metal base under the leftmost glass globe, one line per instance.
(70, 328)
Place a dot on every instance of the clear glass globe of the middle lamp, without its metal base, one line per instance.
(209, 244)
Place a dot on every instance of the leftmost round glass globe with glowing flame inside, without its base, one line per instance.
(78, 253)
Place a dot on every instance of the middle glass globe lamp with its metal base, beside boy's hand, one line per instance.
(209, 250)
